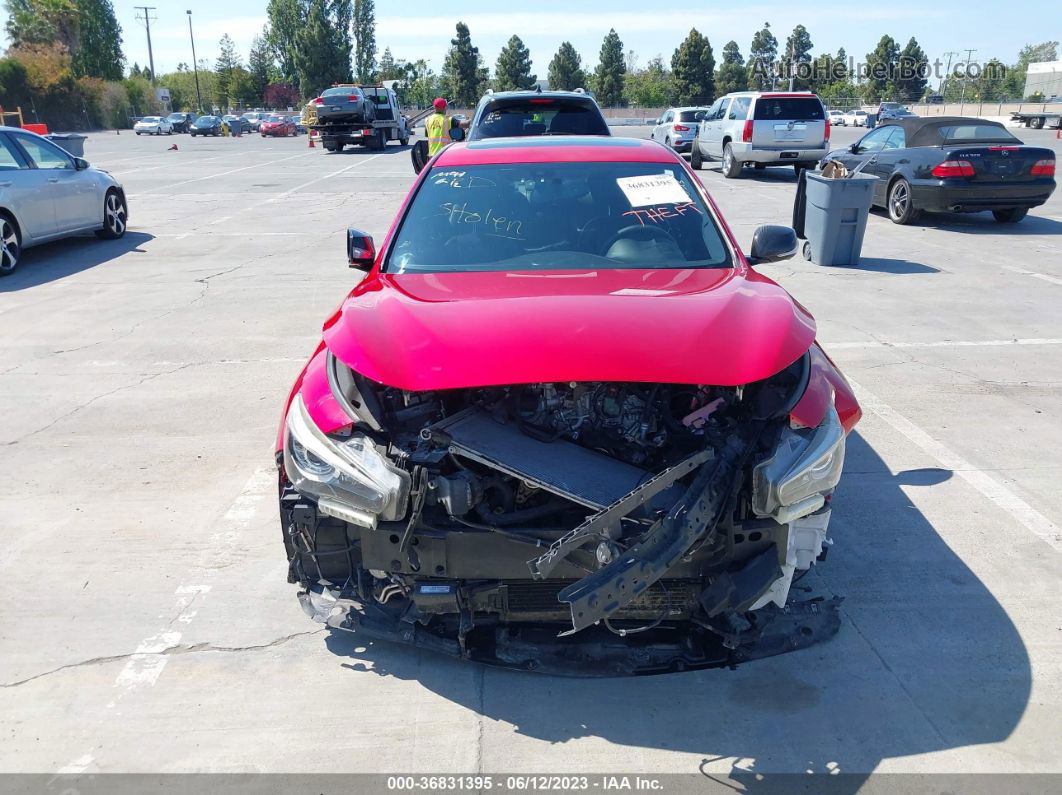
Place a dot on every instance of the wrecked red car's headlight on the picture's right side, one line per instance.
(806, 463)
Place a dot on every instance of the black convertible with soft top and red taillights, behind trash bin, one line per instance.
(952, 165)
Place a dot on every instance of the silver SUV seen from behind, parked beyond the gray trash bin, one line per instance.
(763, 129)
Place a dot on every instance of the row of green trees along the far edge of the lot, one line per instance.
(66, 66)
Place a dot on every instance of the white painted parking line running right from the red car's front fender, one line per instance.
(990, 489)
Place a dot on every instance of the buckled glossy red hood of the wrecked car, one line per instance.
(443, 331)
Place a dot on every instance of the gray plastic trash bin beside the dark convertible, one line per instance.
(835, 218)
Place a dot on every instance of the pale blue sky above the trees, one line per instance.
(422, 29)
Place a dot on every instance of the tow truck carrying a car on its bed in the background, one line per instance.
(388, 124)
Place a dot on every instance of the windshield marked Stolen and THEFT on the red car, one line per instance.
(557, 216)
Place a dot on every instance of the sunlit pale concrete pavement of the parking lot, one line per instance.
(147, 623)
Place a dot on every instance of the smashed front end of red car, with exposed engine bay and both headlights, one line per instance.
(579, 528)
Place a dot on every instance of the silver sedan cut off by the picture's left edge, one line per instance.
(46, 194)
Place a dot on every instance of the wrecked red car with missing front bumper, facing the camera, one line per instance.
(562, 425)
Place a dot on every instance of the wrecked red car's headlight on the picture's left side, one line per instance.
(350, 472)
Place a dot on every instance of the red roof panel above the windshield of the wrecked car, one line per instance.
(555, 149)
